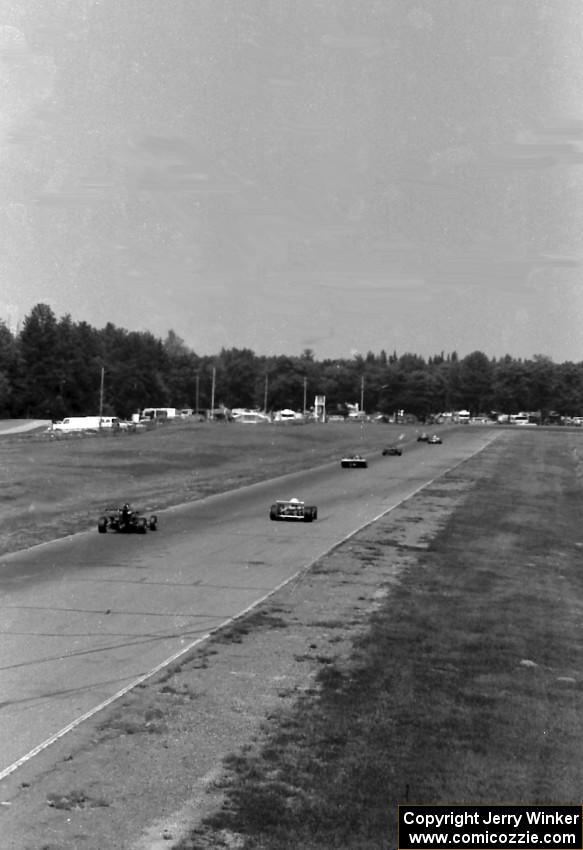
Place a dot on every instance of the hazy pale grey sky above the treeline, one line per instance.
(340, 175)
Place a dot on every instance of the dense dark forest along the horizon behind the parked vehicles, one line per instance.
(54, 367)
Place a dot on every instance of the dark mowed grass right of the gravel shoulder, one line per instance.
(467, 687)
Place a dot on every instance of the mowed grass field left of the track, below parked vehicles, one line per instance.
(53, 487)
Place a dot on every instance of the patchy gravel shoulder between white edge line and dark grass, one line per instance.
(142, 773)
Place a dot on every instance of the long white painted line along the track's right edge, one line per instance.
(143, 678)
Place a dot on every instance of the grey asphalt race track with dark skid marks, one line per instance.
(86, 617)
